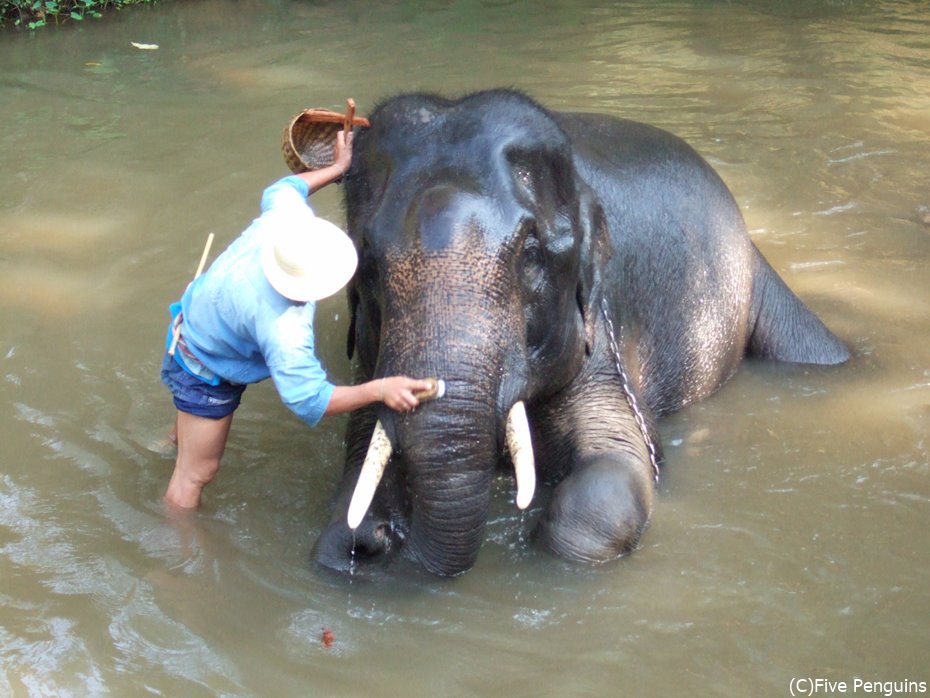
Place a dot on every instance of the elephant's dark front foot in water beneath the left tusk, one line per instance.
(341, 549)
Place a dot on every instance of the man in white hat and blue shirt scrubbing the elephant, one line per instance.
(250, 317)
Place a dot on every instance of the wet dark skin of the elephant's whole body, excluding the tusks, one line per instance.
(490, 230)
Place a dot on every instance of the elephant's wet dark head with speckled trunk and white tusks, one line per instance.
(479, 262)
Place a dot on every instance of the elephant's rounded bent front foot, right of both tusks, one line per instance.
(599, 512)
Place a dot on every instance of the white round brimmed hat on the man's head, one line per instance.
(309, 259)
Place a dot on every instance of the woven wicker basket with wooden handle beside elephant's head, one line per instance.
(309, 139)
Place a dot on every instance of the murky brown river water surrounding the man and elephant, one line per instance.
(791, 536)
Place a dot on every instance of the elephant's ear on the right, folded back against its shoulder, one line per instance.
(595, 253)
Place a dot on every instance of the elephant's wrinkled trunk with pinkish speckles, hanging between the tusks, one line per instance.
(446, 451)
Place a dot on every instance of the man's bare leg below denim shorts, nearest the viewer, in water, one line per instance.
(201, 442)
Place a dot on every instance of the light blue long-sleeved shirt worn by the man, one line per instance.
(245, 331)
